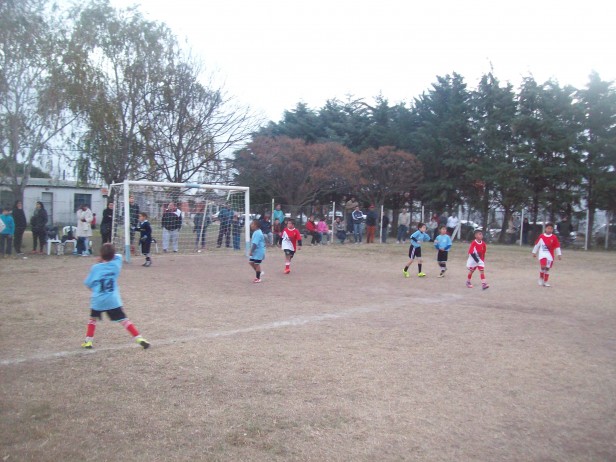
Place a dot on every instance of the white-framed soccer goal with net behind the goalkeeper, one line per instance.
(185, 218)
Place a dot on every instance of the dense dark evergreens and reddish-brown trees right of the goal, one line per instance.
(545, 147)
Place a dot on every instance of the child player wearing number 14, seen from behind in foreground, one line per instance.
(103, 281)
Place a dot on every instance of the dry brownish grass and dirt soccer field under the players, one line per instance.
(342, 360)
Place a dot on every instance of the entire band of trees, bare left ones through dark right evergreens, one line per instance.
(115, 96)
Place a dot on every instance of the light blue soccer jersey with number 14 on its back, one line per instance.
(103, 280)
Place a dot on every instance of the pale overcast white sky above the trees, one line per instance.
(272, 54)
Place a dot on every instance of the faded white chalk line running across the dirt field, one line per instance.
(291, 322)
